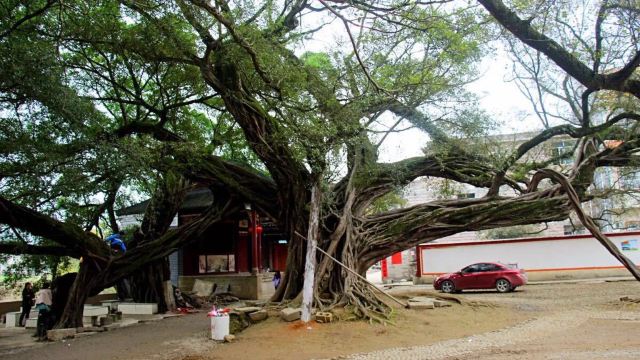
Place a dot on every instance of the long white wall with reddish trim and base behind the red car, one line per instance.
(544, 258)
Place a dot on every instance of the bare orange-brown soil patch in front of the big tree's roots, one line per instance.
(274, 339)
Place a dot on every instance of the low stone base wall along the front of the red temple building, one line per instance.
(244, 286)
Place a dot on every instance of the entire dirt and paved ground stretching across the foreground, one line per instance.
(550, 321)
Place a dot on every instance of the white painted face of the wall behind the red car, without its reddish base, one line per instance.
(542, 255)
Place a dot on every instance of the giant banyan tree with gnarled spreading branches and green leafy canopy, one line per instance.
(263, 101)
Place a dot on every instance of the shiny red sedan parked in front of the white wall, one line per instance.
(482, 276)
